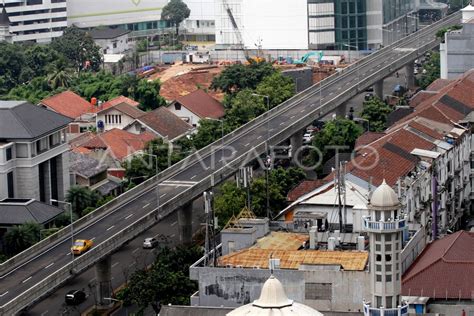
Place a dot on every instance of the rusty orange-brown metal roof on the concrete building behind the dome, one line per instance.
(292, 259)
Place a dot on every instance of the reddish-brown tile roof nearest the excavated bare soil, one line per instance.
(202, 104)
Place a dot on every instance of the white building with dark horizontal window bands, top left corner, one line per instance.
(36, 20)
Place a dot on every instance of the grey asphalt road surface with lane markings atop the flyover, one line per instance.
(44, 264)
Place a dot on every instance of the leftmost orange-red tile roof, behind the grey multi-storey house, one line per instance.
(68, 104)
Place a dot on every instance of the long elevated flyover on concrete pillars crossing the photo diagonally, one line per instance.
(36, 272)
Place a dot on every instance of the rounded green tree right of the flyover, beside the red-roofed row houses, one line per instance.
(339, 132)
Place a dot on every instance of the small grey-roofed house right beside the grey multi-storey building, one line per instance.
(89, 172)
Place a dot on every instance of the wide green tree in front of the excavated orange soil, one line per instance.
(238, 77)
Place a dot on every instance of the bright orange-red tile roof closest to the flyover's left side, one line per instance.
(120, 143)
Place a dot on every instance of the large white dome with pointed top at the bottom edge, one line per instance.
(273, 301)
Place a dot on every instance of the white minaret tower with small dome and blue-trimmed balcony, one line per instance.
(385, 226)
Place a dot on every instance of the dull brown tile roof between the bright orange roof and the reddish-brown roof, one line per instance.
(165, 123)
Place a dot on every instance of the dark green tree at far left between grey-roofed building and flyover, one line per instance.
(21, 237)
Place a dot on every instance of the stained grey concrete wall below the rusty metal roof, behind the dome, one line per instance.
(232, 287)
